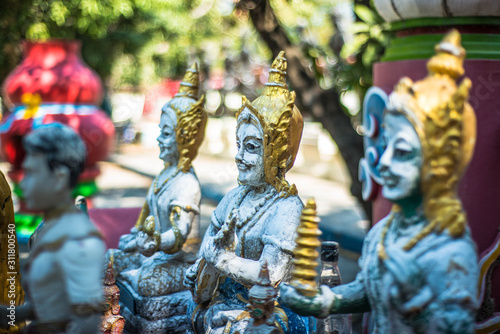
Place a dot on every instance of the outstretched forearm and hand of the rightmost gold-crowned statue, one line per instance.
(318, 306)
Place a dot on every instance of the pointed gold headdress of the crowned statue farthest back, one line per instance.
(191, 118)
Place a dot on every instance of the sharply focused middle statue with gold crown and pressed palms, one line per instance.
(256, 222)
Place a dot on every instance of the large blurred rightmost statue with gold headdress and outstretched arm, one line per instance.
(418, 266)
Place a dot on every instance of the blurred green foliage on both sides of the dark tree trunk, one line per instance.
(136, 43)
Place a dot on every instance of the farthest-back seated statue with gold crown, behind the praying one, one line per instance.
(151, 261)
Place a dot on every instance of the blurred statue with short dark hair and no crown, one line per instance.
(63, 272)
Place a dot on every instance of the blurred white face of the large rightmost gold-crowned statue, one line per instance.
(401, 162)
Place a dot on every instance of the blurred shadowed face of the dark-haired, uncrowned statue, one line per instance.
(38, 183)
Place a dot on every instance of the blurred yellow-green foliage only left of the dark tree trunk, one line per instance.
(128, 42)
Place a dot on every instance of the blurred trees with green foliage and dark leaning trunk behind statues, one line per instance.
(135, 44)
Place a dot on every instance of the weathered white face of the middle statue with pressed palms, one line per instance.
(249, 158)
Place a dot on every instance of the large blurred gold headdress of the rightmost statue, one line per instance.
(446, 126)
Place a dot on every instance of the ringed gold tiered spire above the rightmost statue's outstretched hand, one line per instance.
(306, 256)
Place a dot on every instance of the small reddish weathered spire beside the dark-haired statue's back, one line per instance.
(112, 322)
